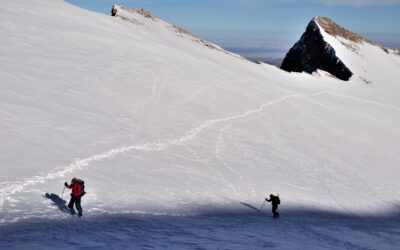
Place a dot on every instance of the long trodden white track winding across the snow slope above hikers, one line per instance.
(17, 187)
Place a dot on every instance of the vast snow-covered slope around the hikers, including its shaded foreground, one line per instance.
(178, 142)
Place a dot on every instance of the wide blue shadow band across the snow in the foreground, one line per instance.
(222, 229)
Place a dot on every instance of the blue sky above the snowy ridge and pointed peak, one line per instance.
(267, 27)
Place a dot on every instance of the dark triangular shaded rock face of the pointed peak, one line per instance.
(311, 52)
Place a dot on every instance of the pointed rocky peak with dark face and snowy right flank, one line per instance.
(327, 46)
